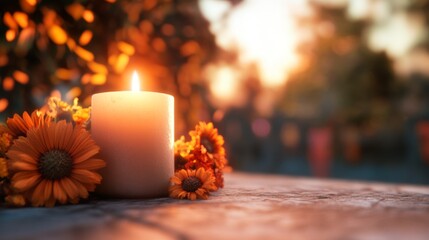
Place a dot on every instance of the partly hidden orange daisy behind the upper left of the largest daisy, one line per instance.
(20, 125)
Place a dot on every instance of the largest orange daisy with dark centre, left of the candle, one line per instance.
(54, 164)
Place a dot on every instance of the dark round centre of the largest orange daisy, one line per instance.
(55, 164)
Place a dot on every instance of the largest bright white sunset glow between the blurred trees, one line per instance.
(264, 35)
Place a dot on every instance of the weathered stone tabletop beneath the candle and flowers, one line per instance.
(251, 206)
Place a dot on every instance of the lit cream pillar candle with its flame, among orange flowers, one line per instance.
(135, 132)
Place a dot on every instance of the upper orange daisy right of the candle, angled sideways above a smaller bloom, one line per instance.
(207, 136)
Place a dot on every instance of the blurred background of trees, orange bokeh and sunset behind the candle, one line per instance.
(324, 88)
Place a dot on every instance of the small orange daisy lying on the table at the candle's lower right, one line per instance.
(192, 184)
